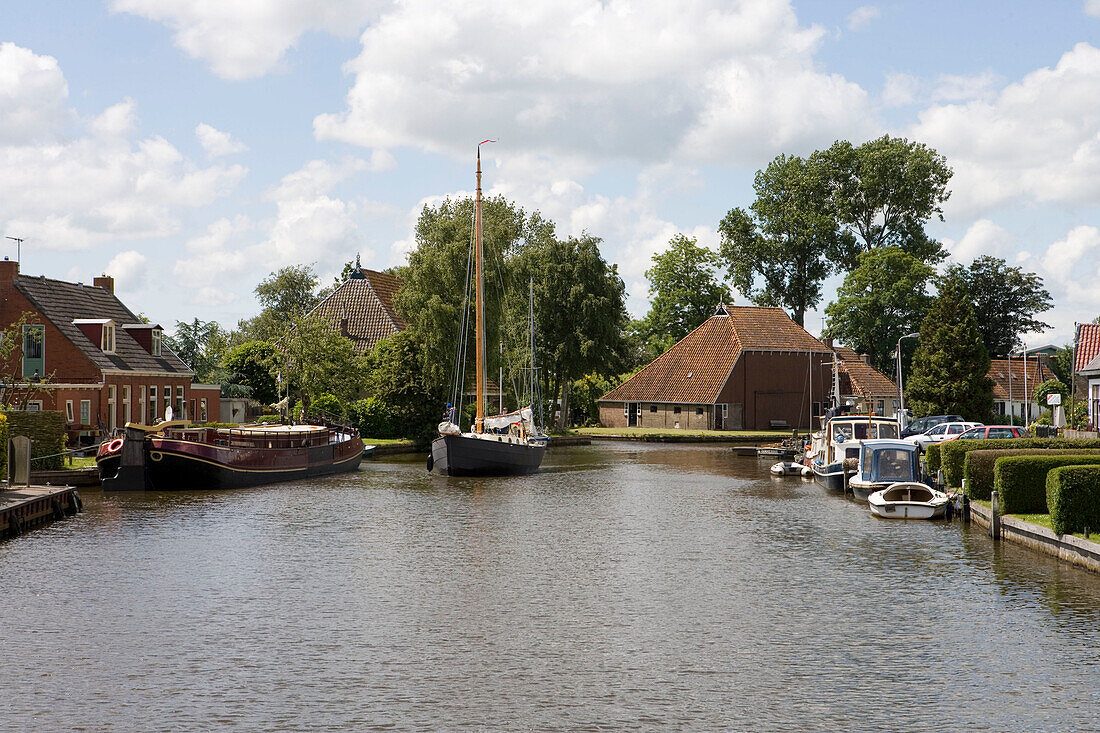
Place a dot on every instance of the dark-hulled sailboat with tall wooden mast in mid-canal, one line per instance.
(503, 445)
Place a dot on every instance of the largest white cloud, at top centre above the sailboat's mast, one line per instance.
(705, 81)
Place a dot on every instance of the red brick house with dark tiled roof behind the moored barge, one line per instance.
(102, 366)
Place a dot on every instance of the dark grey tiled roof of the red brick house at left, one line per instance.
(63, 302)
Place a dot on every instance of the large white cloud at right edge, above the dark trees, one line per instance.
(1037, 141)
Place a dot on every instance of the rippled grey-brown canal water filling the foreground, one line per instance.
(626, 586)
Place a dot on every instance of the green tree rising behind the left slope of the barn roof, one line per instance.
(685, 290)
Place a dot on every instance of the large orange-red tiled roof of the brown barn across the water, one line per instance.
(696, 369)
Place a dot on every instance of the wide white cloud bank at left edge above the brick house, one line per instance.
(100, 184)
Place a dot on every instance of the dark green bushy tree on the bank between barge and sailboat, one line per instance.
(397, 378)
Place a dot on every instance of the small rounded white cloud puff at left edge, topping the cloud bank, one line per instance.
(32, 96)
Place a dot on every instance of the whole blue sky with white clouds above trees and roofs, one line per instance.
(191, 148)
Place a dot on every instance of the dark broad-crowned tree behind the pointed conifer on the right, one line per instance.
(1008, 300)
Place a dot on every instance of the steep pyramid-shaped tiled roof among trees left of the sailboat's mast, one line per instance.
(368, 304)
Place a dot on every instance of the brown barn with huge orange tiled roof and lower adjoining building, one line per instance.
(745, 369)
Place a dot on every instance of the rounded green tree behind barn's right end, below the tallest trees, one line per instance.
(881, 301)
